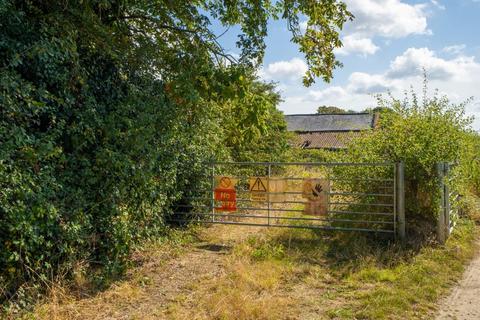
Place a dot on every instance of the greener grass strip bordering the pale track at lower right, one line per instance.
(411, 288)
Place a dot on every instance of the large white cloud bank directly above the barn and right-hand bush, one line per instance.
(457, 77)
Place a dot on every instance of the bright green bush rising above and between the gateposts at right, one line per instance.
(421, 132)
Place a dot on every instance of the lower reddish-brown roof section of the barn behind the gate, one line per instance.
(325, 140)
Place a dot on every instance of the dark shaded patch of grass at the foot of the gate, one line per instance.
(343, 252)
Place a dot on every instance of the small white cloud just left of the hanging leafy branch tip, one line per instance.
(292, 69)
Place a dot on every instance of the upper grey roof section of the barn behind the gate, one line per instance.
(330, 122)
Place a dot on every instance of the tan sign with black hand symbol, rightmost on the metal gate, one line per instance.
(316, 191)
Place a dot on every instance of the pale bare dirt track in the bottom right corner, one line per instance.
(464, 300)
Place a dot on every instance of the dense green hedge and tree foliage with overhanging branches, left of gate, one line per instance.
(109, 108)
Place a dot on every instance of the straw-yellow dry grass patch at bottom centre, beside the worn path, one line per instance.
(246, 292)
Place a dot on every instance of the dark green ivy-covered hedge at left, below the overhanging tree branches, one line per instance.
(89, 161)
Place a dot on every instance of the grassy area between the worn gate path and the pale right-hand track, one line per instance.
(300, 274)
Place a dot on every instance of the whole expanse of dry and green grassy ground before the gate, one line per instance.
(248, 273)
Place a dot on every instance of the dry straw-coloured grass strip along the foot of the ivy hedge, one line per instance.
(81, 299)
